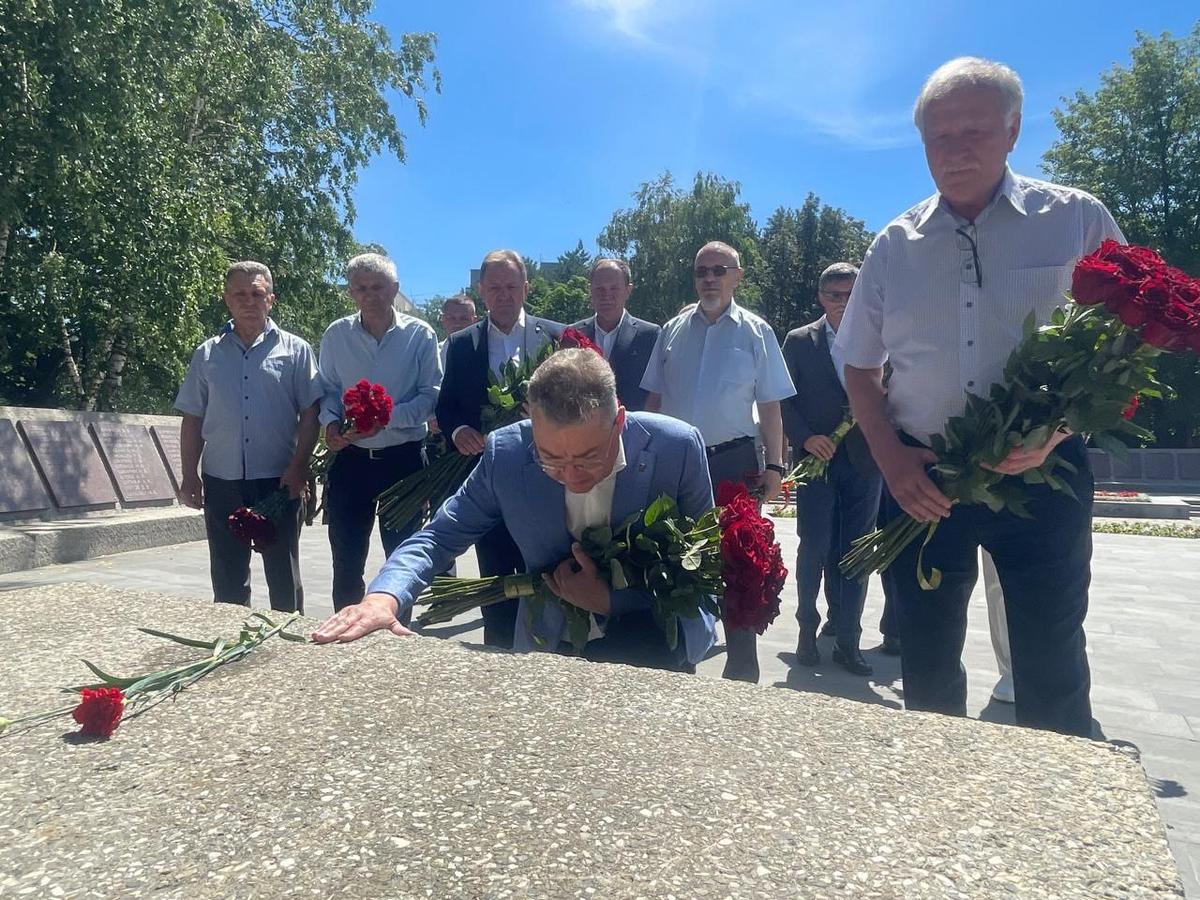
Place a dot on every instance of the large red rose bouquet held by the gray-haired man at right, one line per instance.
(1085, 370)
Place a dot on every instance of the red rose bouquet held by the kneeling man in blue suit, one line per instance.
(683, 566)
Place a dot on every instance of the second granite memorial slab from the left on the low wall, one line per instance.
(69, 460)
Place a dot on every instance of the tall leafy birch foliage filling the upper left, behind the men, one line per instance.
(148, 145)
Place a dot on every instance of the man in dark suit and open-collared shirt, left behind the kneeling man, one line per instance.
(506, 334)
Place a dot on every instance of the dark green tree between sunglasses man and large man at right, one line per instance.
(797, 245)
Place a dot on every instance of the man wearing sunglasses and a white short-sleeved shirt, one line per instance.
(713, 368)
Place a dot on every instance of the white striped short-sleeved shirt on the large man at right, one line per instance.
(919, 302)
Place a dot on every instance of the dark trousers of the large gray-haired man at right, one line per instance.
(1045, 566)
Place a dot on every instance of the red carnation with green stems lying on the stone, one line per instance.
(103, 706)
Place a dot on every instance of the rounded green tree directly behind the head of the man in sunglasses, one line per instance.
(661, 235)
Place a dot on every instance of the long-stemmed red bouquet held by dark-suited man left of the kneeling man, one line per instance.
(428, 489)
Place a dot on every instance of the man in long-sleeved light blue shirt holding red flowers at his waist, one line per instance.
(401, 353)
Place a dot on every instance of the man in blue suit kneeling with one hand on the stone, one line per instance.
(581, 461)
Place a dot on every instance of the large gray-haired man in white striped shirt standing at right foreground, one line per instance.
(943, 295)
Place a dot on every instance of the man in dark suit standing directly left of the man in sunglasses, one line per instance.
(626, 340)
